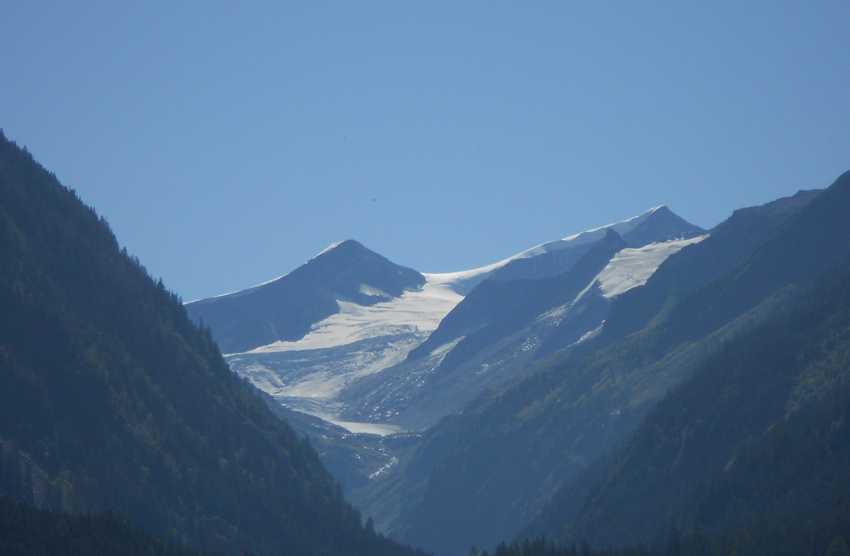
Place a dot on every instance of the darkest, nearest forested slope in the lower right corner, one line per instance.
(755, 441)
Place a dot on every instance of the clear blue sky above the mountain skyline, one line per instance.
(226, 143)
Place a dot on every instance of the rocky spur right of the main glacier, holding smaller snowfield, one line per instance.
(496, 332)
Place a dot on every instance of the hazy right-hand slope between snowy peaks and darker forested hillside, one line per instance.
(504, 456)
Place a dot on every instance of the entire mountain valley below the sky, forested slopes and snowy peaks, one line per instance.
(601, 388)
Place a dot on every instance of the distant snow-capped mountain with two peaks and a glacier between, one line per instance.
(366, 344)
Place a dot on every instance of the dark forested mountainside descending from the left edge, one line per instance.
(111, 398)
